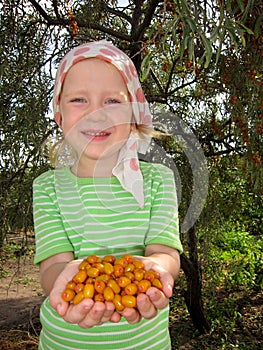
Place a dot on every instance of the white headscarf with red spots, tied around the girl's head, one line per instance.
(127, 168)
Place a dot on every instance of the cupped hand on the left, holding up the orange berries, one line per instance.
(87, 313)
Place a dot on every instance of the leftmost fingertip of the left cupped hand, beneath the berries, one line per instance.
(77, 313)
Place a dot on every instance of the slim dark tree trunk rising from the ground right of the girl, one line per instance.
(193, 294)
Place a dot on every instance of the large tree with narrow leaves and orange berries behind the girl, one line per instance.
(199, 60)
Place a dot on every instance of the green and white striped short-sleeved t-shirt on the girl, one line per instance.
(97, 216)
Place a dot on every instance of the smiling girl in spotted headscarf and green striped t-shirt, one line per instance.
(105, 202)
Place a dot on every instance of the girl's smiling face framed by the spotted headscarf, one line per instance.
(95, 111)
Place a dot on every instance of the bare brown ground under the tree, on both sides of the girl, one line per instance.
(21, 297)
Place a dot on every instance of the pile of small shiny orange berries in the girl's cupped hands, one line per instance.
(118, 280)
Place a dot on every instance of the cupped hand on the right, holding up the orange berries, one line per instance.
(148, 304)
